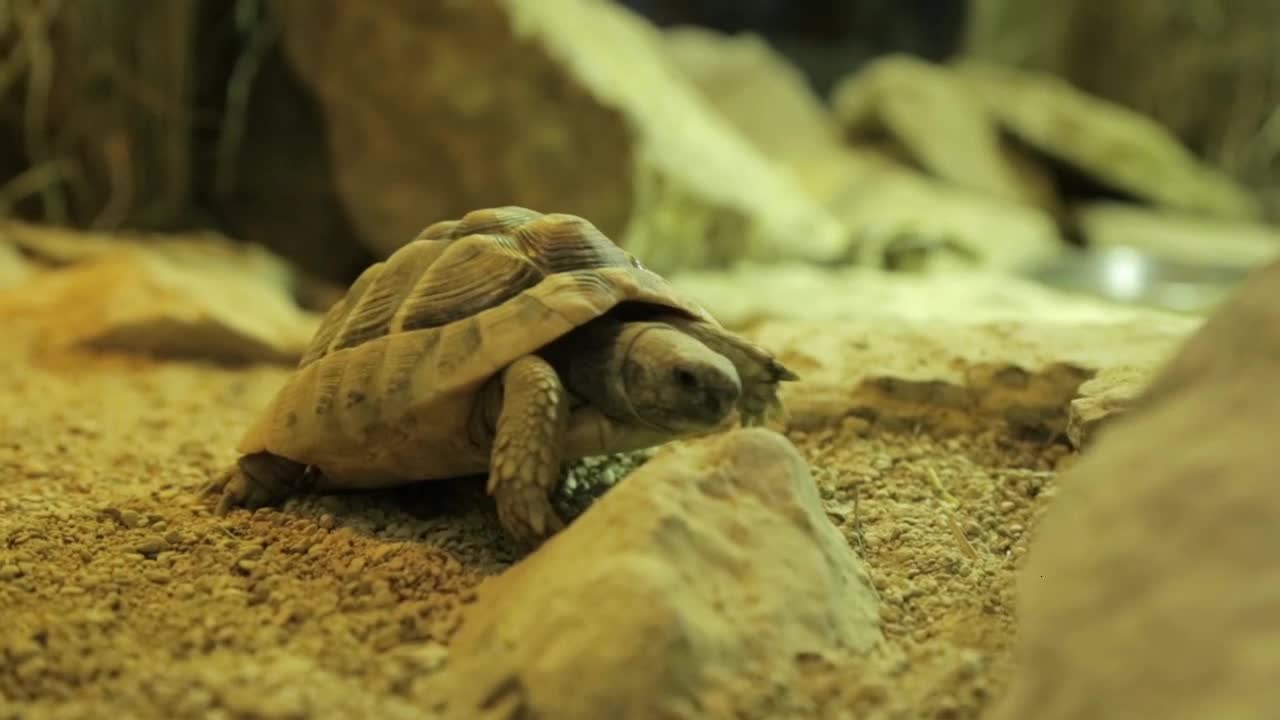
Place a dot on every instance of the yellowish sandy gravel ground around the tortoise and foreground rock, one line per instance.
(124, 596)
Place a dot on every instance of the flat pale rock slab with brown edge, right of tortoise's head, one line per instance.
(945, 350)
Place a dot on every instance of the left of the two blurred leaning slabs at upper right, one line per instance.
(908, 98)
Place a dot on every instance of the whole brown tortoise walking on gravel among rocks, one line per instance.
(508, 341)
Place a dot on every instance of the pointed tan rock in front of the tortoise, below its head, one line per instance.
(712, 564)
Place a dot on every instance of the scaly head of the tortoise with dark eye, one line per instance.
(675, 382)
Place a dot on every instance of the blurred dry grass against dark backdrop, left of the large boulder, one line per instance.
(109, 113)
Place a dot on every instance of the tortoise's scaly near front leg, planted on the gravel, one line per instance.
(525, 466)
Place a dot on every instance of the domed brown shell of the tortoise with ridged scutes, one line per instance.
(386, 390)
